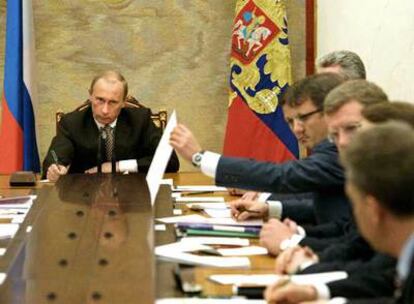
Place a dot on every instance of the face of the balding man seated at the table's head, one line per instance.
(107, 100)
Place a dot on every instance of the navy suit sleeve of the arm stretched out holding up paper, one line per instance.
(317, 172)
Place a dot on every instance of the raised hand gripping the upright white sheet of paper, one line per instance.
(184, 142)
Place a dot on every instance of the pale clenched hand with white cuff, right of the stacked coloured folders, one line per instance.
(272, 234)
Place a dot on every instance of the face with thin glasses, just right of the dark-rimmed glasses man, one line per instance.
(343, 124)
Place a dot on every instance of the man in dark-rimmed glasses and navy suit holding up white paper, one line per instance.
(319, 175)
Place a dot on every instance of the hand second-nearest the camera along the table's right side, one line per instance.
(290, 260)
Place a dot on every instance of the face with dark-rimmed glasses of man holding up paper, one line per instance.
(306, 122)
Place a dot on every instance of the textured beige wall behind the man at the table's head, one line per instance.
(173, 53)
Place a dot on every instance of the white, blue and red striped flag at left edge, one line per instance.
(18, 146)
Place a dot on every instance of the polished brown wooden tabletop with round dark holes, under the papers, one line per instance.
(98, 256)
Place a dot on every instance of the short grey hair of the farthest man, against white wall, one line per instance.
(351, 64)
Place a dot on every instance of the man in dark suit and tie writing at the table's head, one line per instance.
(79, 145)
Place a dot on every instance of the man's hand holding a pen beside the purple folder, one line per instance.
(242, 209)
